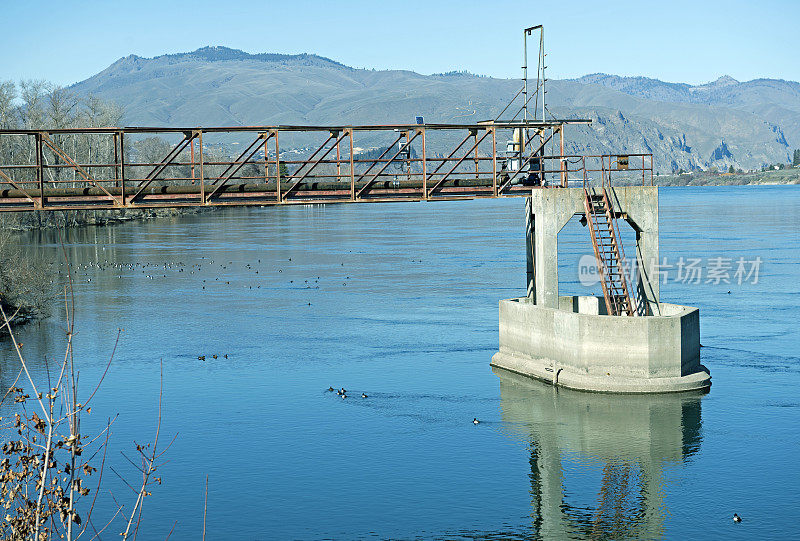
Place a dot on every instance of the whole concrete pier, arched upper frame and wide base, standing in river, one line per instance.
(572, 341)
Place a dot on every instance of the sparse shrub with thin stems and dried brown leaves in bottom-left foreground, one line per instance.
(51, 472)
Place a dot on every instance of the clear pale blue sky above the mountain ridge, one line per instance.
(695, 42)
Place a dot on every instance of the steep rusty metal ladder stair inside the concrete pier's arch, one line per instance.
(609, 252)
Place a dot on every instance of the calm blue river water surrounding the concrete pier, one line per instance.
(400, 302)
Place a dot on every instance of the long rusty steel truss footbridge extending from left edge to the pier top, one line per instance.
(45, 175)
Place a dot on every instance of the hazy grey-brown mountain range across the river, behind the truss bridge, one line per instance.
(719, 124)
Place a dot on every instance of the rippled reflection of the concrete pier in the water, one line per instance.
(630, 437)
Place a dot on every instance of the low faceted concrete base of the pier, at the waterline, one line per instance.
(579, 347)
